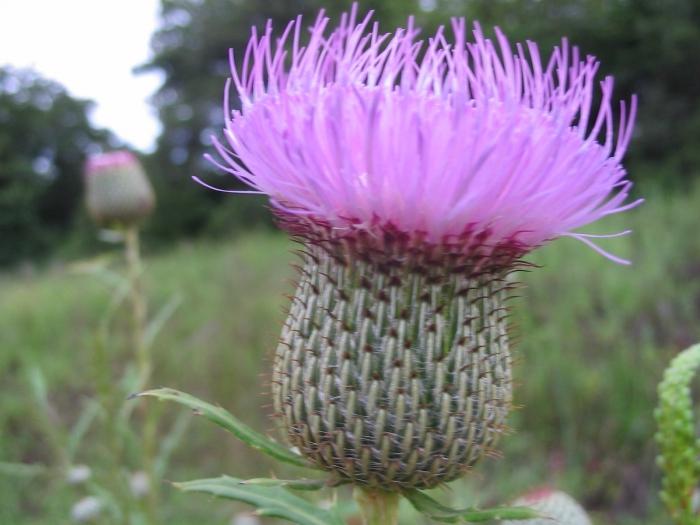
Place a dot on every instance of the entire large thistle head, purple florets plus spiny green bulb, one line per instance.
(415, 175)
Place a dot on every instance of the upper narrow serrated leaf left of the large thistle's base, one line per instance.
(227, 421)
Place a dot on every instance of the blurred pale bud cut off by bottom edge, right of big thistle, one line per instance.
(555, 507)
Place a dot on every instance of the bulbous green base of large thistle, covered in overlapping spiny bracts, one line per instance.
(394, 374)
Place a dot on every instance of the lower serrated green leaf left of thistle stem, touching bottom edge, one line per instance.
(270, 501)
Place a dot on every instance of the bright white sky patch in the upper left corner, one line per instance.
(89, 46)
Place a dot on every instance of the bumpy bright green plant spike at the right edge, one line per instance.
(679, 446)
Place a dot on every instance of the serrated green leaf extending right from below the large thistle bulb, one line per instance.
(439, 512)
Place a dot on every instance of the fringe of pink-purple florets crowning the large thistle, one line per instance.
(474, 141)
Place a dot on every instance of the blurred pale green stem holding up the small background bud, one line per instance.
(144, 365)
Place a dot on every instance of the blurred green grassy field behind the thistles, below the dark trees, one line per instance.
(594, 340)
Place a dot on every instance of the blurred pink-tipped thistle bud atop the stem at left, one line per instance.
(118, 192)
